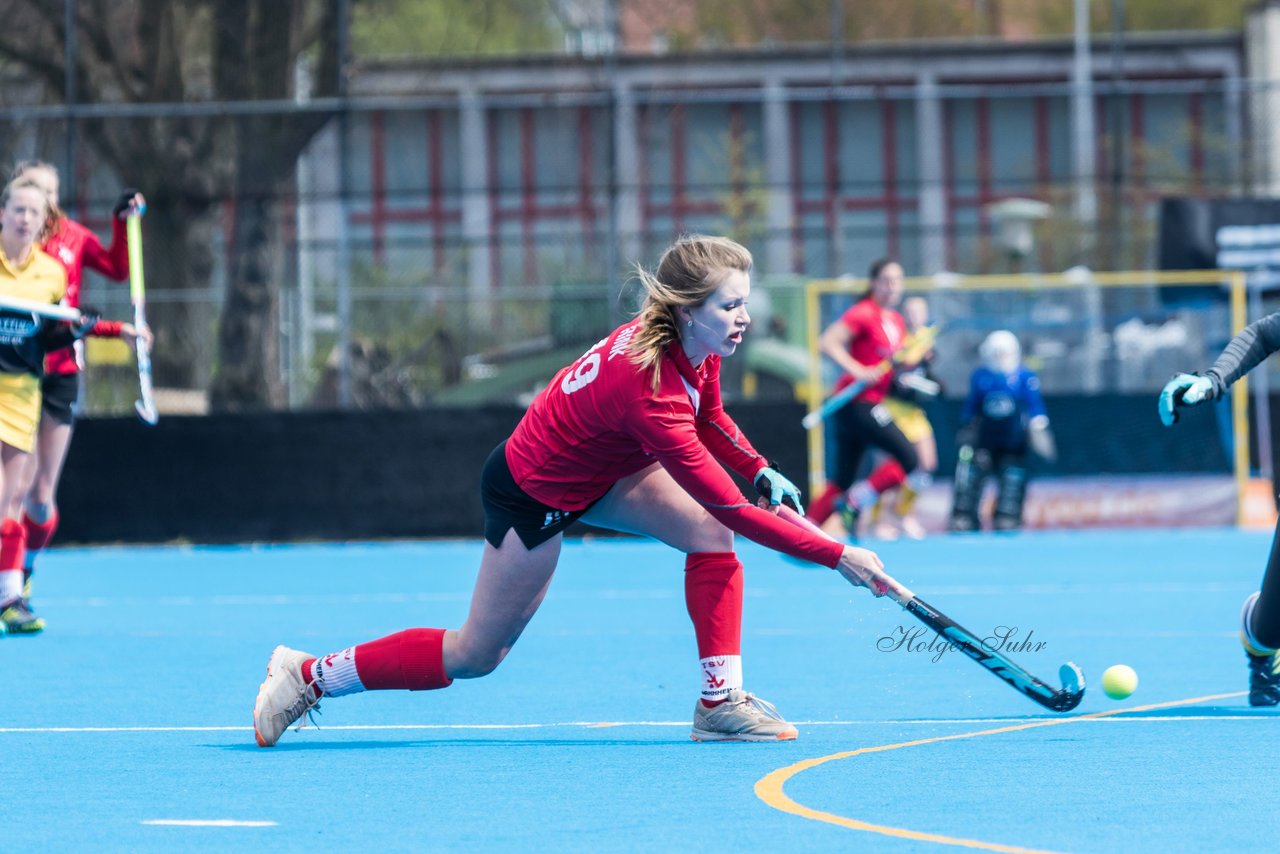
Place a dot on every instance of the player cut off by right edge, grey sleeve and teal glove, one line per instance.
(1260, 618)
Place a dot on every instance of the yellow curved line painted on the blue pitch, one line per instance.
(770, 787)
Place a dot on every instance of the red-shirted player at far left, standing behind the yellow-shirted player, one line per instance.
(75, 248)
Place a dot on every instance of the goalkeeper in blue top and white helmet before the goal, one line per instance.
(1003, 423)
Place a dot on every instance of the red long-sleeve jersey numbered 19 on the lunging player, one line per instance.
(598, 421)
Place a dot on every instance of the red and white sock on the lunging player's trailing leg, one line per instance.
(412, 660)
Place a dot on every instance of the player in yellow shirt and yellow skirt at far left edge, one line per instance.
(30, 275)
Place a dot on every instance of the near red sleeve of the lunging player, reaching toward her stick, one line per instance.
(670, 435)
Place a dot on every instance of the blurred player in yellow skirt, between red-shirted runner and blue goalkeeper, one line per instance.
(912, 386)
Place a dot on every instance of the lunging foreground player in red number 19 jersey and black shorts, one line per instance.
(625, 439)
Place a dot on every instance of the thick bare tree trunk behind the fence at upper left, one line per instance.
(132, 53)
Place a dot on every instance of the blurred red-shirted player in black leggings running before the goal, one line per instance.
(860, 342)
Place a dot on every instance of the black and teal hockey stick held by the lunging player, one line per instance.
(1005, 669)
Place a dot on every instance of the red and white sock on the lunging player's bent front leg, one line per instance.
(714, 595)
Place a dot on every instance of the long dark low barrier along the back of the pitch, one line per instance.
(351, 476)
